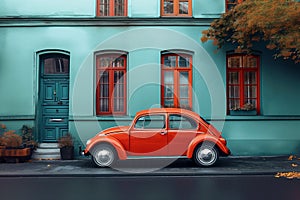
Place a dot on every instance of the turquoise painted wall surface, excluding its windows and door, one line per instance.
(275, 131)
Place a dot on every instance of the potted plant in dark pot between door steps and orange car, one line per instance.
(66, 145)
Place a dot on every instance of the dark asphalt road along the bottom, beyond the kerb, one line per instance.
(238, 187)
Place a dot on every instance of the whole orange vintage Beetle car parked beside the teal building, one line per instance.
(157, 133)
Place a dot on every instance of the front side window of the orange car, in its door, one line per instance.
(150, 122)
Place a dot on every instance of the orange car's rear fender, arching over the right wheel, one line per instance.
(198, 140)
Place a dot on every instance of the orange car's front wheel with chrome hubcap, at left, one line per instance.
(104, 155)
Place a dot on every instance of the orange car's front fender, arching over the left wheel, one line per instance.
(113, 142)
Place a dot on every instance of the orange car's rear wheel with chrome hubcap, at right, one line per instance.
(206, 154)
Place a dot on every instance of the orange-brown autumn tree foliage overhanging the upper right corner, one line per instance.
(276, 22)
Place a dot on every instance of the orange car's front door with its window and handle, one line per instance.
(148, 136)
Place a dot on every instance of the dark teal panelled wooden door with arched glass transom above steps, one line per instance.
(54, 97)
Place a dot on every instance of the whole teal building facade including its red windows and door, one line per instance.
(84, 66)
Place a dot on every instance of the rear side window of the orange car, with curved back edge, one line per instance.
(179, 122)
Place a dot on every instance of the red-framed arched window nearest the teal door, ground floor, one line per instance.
(111, 83)
